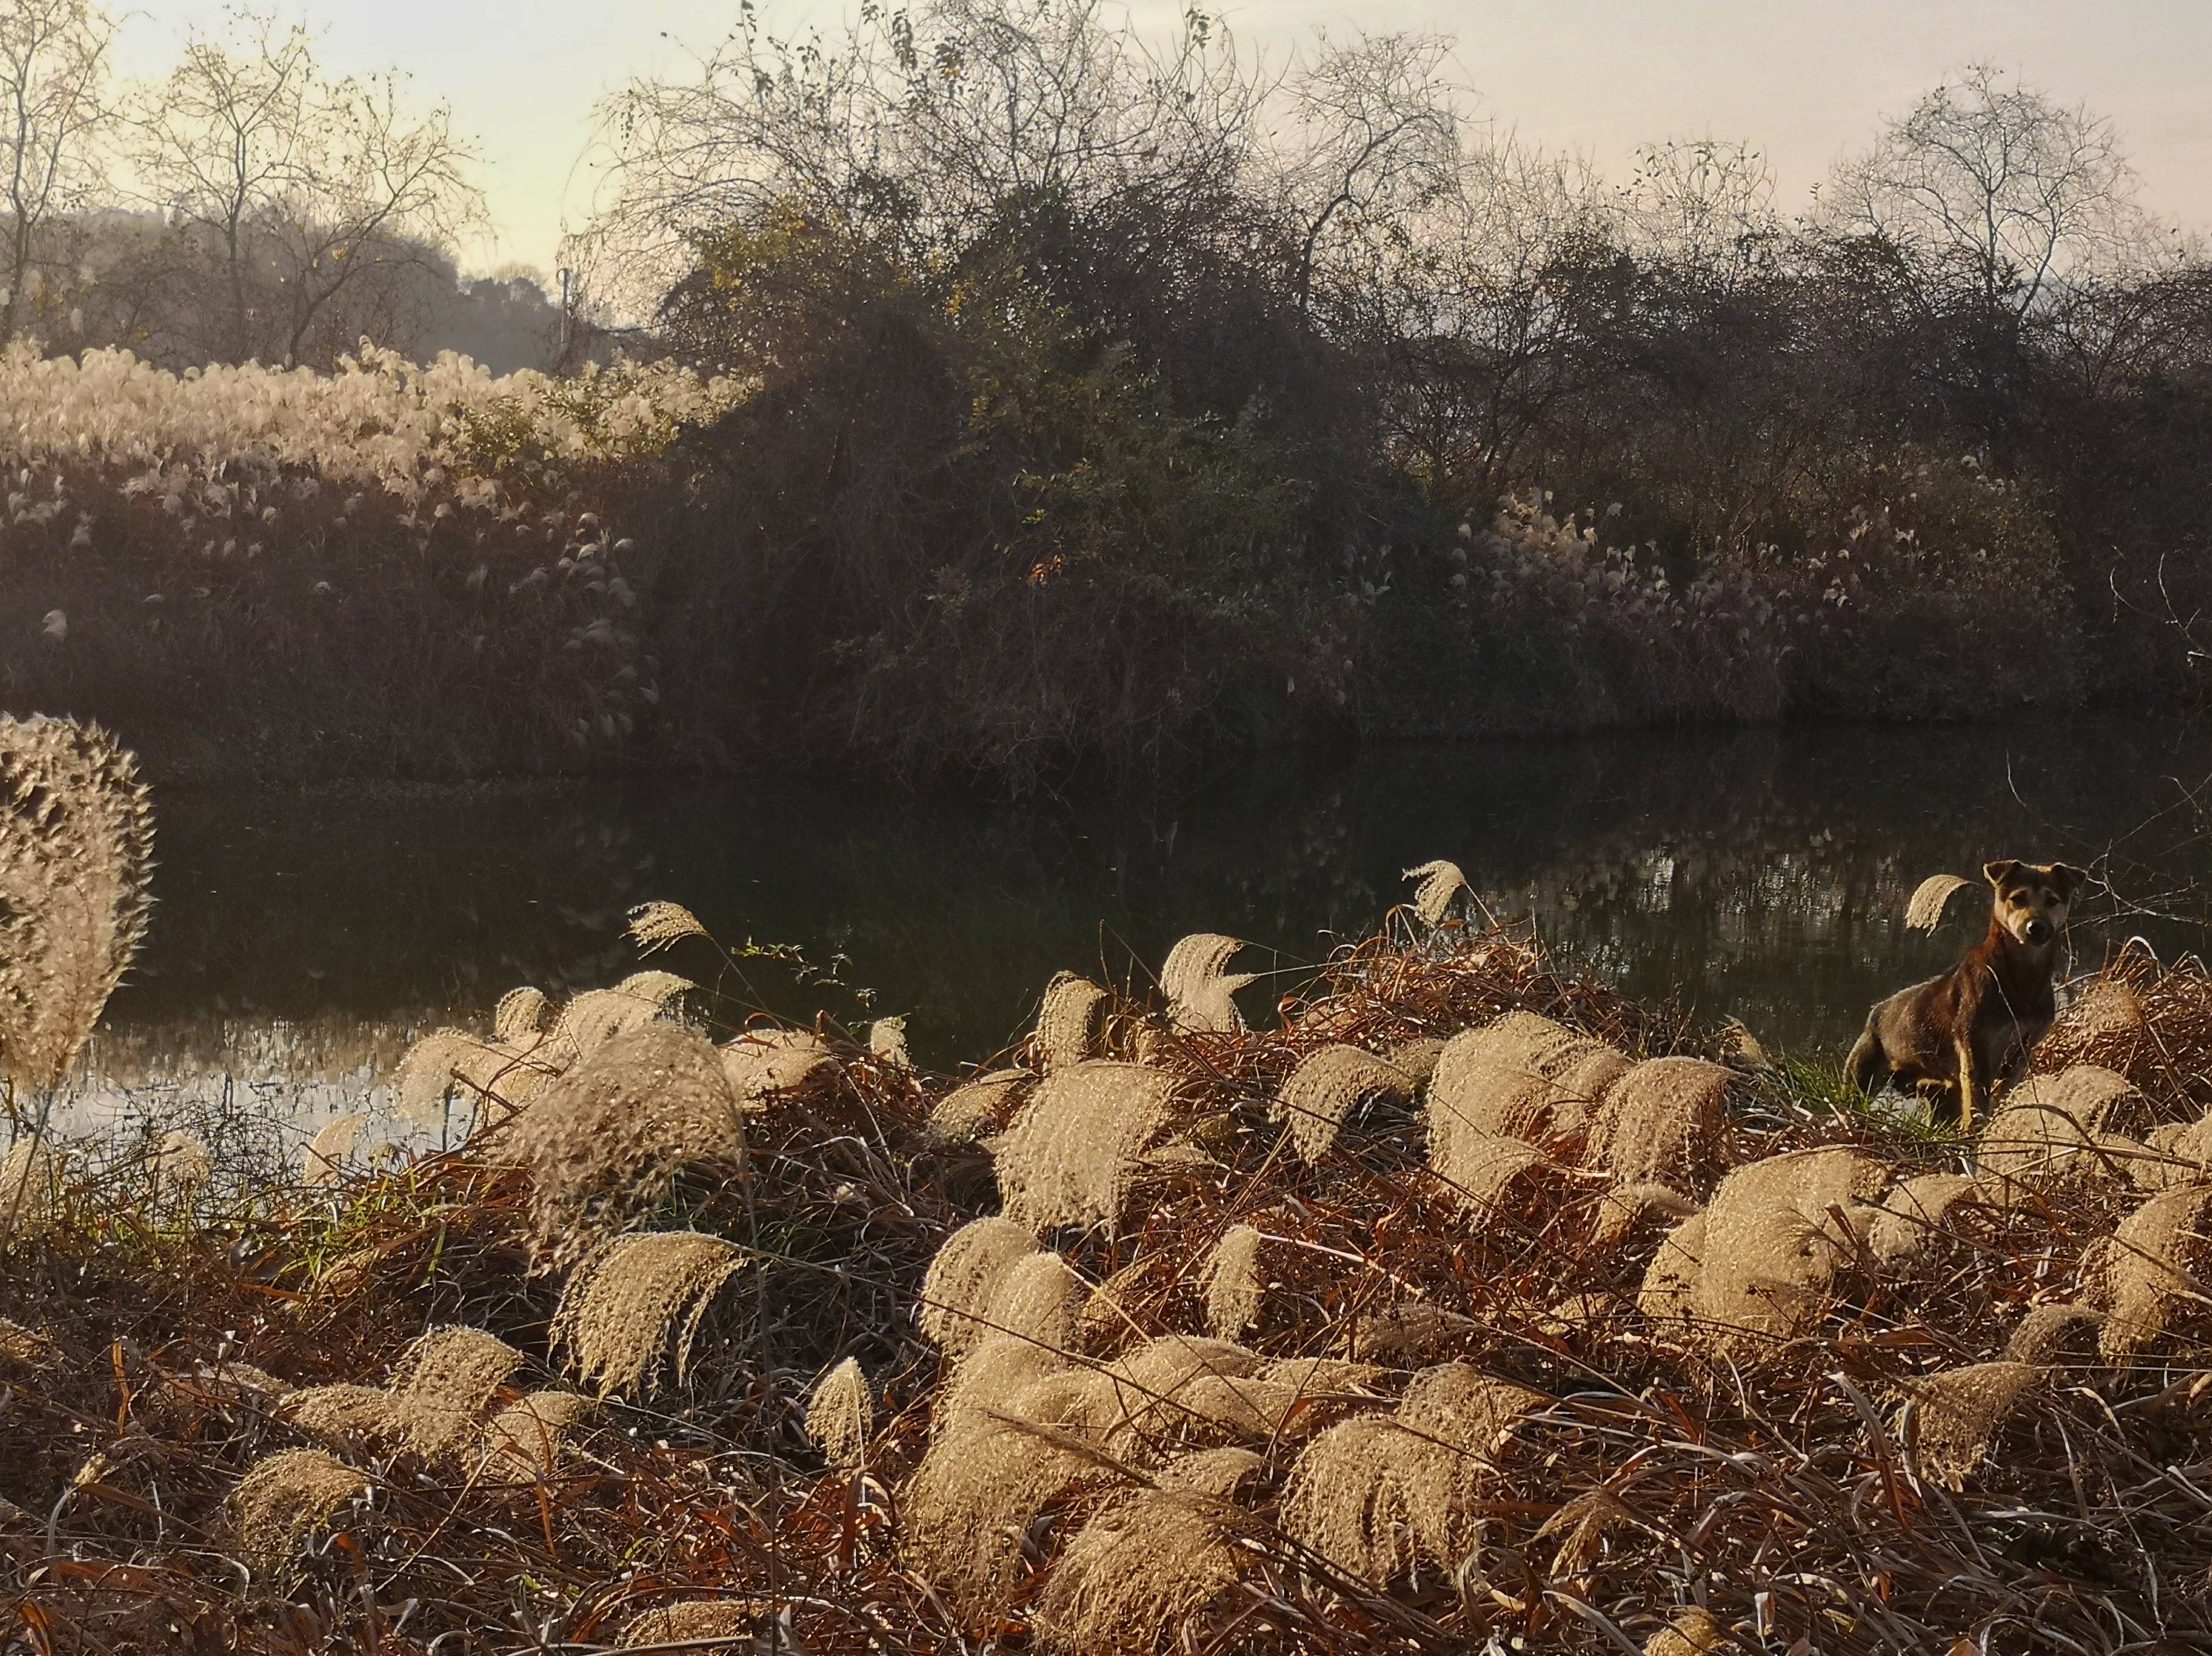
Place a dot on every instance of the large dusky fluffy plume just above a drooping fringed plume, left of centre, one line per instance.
(607, 1138)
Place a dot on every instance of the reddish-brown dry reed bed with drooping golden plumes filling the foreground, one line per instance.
(1306, 1390)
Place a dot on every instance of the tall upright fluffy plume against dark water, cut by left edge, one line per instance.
(76, 859)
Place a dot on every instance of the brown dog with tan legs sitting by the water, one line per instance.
(1965, 1034)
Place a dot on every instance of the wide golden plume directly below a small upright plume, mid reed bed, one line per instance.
(1074, 1151)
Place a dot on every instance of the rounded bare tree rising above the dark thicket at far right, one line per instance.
(1999, 191)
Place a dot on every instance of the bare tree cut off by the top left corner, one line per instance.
(52, 107)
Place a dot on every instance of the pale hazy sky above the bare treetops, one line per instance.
(1802, 78)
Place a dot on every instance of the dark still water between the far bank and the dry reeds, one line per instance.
(1753, 874)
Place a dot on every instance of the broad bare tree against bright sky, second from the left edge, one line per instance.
(306, 196)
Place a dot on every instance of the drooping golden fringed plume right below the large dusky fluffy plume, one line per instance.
(632, 1301)
